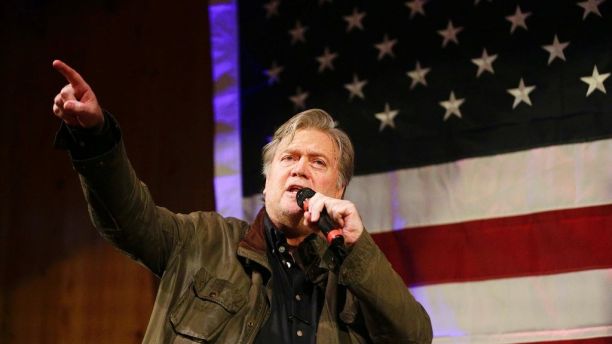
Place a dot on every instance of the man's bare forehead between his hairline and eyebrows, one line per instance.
(310, 141)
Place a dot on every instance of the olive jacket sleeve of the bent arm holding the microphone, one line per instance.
(390, 312)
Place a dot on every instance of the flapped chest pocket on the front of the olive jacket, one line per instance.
(205, 308)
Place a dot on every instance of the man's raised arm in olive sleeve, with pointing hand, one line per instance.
(121, 206)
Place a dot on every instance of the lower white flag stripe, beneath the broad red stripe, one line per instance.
(518, 310)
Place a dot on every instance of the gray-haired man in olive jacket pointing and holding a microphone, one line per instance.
(225, 281)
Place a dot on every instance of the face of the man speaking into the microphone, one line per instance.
(309, 160)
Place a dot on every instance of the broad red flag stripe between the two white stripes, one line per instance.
(535, 244)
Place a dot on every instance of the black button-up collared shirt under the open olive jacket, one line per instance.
(296, 301)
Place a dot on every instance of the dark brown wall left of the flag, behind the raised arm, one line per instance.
(149, 64)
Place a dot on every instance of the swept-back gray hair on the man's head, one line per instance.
(320, 120)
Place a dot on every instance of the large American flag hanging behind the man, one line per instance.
(483, 147)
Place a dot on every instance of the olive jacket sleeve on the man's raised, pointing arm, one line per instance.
(124, 212)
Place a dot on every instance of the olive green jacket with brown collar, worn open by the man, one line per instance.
(215, 278)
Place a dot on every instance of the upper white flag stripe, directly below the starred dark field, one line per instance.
(541, 179)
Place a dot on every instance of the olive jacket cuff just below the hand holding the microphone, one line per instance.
(358, 262)
